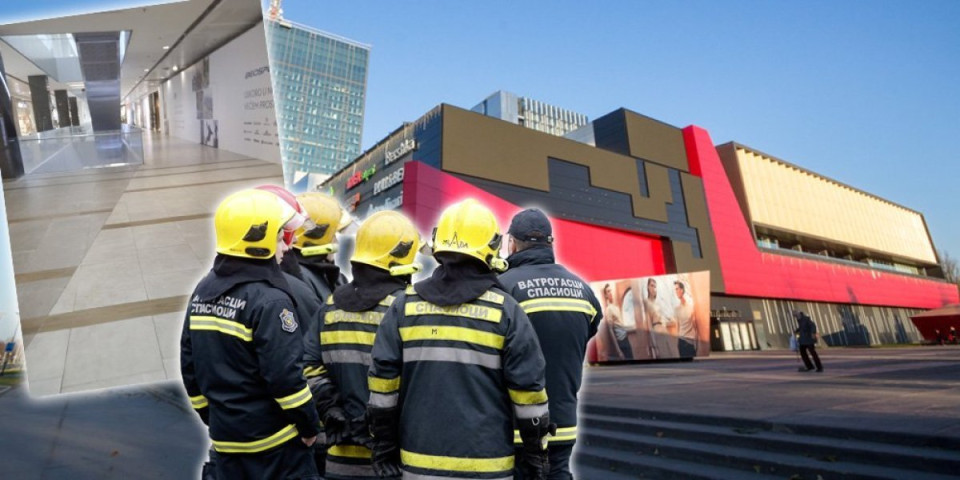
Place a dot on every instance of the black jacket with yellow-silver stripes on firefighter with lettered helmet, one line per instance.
(460, 359)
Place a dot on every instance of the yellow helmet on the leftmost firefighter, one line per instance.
(248, 223)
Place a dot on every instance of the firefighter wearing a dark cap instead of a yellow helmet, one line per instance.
(564, 312)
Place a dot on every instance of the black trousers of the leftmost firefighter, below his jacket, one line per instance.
(290, 461)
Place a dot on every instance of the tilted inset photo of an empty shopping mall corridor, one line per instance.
(124, 130)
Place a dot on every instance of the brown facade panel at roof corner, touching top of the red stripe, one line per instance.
(656, 141)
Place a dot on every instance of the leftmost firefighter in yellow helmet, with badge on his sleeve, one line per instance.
(240, 348)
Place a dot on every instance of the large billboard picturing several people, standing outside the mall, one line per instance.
(652, 318)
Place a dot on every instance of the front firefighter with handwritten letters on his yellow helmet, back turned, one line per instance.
(455, 362)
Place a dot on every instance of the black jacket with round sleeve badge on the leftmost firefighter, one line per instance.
(240, 358)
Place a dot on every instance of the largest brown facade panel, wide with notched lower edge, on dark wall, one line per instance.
(492, 149)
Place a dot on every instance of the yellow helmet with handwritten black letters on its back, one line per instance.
(470, 228)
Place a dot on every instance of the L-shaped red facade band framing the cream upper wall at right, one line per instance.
(749, 272)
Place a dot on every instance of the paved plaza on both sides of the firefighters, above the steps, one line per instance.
(149, 431)
